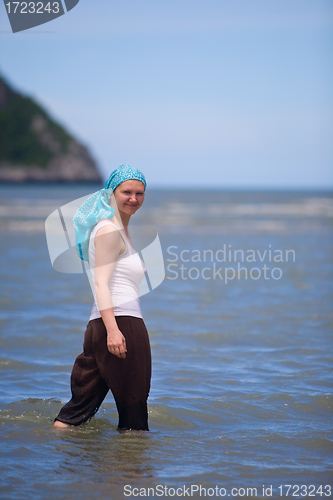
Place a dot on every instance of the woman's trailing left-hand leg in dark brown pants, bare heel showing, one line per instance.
(88, 387)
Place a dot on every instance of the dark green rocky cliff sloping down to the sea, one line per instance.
(33, 147)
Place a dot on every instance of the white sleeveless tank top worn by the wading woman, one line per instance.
(125, 281)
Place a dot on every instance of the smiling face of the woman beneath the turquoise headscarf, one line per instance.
(129, 196)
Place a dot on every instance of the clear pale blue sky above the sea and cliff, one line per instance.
(214, 93)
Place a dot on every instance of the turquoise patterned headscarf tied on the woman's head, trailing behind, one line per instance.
(97, 207)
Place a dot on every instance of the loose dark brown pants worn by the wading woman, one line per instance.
(96, 370)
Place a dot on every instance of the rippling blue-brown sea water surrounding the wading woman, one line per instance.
(241, 396)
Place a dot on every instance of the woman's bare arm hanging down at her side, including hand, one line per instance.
(108, 243)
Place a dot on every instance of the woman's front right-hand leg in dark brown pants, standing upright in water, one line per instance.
(129, 378)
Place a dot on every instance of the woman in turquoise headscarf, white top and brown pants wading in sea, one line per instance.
(116, 351)
